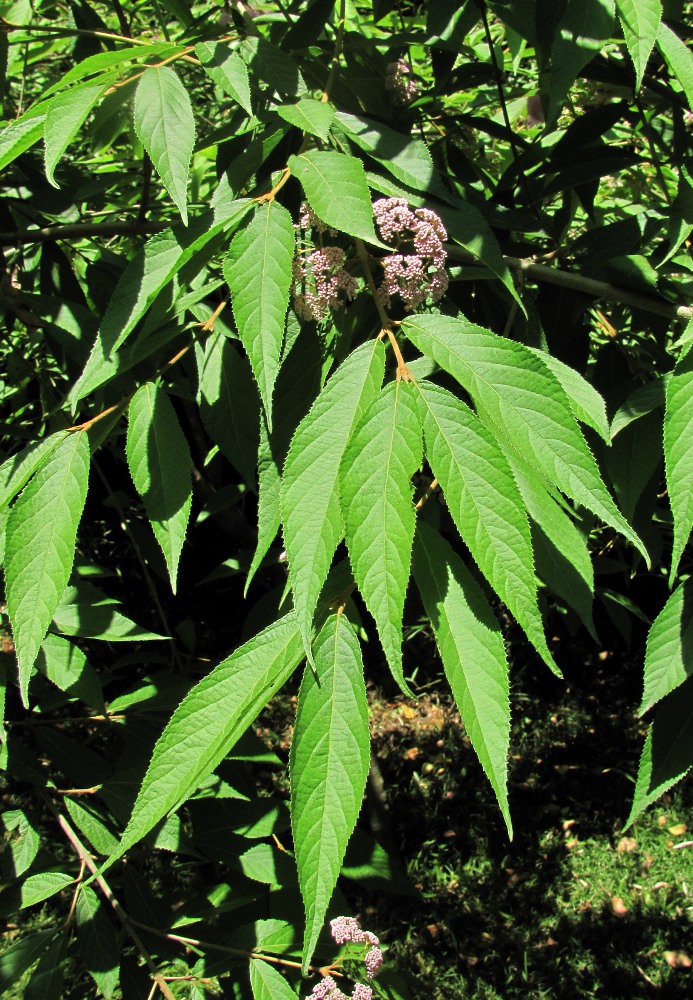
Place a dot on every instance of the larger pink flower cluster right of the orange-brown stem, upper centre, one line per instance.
(414, 276)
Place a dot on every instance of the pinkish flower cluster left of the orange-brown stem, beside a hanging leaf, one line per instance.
(321, 283)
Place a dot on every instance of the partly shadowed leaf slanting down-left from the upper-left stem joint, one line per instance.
(149, 272)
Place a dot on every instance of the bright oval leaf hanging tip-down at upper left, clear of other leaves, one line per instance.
(164, 122)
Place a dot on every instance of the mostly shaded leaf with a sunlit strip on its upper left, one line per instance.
(229, 405)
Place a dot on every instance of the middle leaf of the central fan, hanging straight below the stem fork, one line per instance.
(376, 492)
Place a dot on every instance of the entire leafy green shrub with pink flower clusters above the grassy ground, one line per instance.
(339, 336)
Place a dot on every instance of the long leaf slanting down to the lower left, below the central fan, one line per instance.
(199, 735)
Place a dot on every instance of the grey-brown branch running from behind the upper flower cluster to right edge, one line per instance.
(580, 283)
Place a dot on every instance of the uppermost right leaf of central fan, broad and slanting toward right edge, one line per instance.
(522, 400)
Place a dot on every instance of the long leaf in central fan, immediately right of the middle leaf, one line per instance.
(485, 505)
